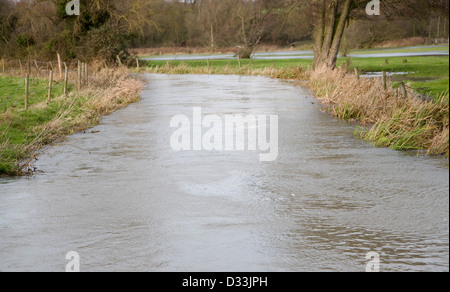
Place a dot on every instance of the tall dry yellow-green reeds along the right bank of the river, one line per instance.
(390, 119)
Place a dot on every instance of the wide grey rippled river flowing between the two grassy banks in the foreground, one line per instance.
(124, 200)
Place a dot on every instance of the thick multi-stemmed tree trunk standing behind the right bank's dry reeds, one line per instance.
(329, 31)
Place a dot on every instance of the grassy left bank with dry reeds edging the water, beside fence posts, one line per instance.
(24, 132)
